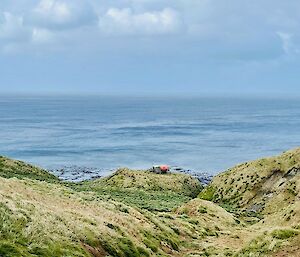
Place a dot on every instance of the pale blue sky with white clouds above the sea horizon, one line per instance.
(150, 46)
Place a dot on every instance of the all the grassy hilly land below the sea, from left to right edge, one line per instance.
(250, 210)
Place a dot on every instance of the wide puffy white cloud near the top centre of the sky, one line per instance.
(126, 22)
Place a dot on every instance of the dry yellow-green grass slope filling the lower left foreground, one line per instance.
(39, 220)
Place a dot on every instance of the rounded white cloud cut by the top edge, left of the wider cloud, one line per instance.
(61, 14)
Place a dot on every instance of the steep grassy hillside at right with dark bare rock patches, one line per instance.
(265, 186)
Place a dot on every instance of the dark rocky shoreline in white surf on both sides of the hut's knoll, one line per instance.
(77, 173)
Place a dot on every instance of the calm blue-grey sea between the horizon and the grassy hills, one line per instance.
(202, 134)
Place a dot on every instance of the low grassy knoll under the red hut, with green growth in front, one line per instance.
(144, 190)
